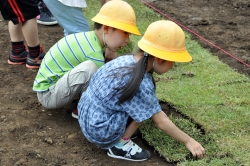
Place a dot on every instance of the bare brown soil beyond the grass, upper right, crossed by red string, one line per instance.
(224, 23)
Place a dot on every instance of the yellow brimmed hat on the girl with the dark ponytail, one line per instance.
(165, 40)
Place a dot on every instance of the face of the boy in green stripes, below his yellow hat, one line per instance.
(115, 38)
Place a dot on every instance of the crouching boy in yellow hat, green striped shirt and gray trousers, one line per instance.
(68, 66)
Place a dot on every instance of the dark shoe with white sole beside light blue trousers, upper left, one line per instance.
(45, 17)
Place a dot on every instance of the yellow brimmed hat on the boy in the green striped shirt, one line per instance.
(118, 14)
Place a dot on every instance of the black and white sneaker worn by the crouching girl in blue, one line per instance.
(129, 151)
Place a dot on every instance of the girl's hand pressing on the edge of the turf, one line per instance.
(195, 148)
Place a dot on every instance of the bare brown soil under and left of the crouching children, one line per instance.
(32, 135)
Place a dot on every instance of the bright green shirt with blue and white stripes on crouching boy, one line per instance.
(66, 54)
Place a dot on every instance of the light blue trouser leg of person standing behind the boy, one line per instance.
(71, 19)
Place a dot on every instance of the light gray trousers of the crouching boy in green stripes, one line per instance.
(68, 87)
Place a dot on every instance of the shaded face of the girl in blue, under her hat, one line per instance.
(162, 66)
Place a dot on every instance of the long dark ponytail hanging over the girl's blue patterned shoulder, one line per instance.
(137, 72)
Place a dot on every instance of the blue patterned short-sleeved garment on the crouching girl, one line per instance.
(102, 121)
